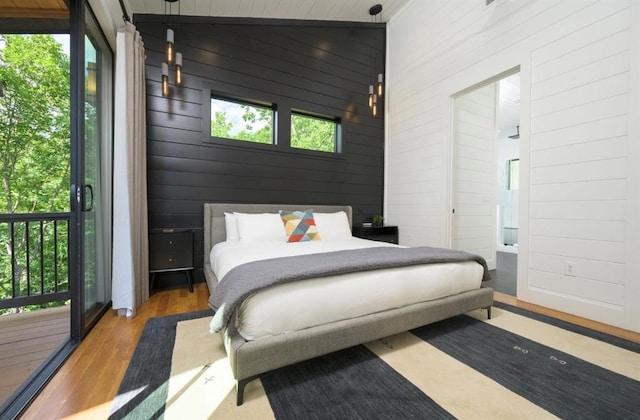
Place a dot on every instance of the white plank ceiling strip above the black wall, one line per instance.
(344, 10)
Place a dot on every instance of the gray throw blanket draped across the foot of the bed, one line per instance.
(244, 280)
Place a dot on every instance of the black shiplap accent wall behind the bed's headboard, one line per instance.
(320, 67)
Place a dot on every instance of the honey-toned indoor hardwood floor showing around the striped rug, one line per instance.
(87, 383)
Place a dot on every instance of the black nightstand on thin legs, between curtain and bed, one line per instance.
(171, 250)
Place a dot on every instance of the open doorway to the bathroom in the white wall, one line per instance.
(485, 164)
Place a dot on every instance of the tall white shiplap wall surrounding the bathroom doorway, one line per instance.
(579, 63)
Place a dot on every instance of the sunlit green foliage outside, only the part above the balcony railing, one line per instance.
(34, 125)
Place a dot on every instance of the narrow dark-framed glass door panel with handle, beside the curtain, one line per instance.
(94, 189)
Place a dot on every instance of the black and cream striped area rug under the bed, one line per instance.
(516, 365)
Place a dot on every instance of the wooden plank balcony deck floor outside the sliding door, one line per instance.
(26, 340)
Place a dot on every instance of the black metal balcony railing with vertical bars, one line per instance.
(34, 259)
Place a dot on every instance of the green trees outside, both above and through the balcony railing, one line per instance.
(35, 157)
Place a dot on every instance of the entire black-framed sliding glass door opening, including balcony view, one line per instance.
(58, 94)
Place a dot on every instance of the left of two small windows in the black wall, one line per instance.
(236, 120)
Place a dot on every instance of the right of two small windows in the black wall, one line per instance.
(314, 133)
